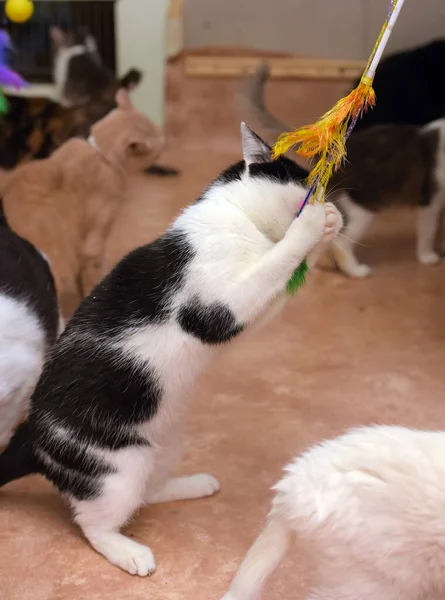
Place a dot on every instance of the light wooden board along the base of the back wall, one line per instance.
(283, 67)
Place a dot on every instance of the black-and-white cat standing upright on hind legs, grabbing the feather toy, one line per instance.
(107, 417)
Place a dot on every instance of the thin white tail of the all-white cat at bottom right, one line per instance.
(262, 559)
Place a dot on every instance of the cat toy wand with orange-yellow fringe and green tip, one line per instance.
(326, 139)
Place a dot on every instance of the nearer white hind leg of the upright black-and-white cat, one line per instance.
(119, 495)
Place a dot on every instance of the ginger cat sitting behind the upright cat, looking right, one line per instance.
(66, 204)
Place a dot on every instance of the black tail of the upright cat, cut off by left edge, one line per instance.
(18, 459)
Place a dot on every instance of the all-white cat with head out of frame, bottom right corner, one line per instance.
(370, 508)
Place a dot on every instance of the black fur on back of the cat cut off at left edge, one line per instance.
(26, 276)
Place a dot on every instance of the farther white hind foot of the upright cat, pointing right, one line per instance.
(185, 488)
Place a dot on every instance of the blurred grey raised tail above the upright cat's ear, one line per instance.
(254, 104)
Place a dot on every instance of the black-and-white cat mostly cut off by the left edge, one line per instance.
(29, 321)
